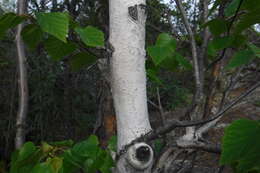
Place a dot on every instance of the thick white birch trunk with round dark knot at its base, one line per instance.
(128, 81)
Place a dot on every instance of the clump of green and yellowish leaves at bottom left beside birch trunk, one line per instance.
(63, 157)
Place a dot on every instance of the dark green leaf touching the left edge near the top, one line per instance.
(8, 21)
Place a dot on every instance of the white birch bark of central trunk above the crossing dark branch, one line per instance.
(127, 36)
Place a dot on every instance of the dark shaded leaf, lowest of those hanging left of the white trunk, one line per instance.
(82, 60)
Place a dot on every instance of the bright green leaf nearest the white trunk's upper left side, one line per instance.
(91, 36)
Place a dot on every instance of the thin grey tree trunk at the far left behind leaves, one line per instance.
(22, 81)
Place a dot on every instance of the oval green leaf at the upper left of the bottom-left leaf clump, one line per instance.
(26, 151)
